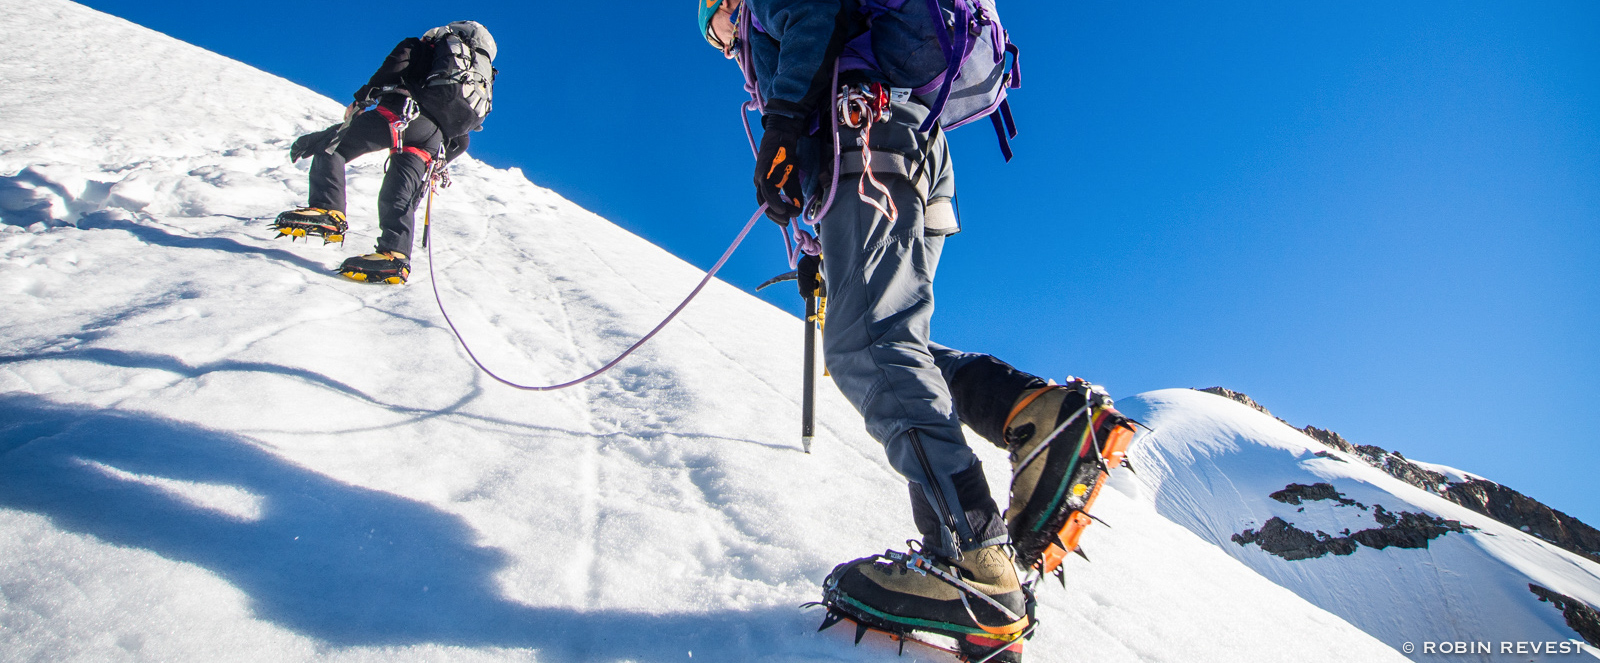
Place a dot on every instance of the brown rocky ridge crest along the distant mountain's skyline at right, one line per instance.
(1481, 496)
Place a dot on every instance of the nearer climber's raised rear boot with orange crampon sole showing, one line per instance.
(1063, 441)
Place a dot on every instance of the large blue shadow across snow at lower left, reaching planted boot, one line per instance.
(332, 561)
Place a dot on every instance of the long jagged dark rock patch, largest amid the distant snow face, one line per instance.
(1399, 531)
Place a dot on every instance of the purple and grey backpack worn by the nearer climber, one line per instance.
(951, 54)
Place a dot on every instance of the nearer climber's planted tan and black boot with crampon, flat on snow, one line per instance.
(978, 601)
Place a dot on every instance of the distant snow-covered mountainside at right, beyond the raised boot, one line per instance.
(1214, 467)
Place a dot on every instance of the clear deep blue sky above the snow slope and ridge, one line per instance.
(1380, 219)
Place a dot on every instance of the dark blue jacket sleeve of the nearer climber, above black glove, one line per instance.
(809, 36)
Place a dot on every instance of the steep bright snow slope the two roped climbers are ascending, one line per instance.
(214, 449)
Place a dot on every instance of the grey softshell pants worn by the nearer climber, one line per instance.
(913, 393)
